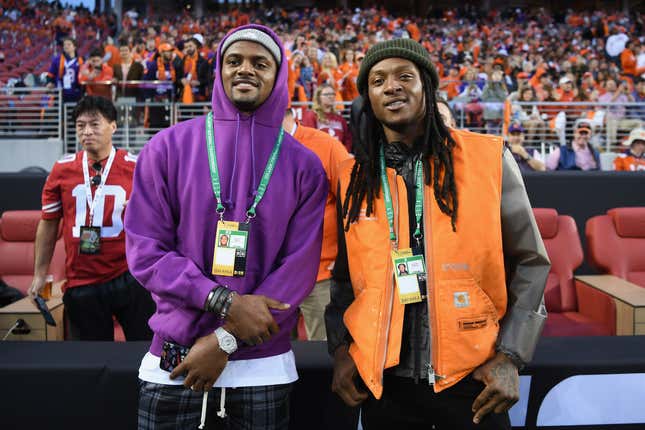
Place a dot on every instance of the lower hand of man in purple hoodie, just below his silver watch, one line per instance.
(203, 364)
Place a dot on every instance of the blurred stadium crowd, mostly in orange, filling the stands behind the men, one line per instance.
(495, 68)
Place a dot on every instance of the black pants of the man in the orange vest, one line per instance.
(410, 406)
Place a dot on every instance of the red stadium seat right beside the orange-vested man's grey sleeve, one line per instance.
(575, 309)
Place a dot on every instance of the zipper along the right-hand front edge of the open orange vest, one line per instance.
(427, 244)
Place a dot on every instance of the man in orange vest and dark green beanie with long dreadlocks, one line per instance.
(441, 342)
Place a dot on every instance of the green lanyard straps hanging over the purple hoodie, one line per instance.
(212, 163)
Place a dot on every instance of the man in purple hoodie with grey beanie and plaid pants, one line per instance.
(232, 300)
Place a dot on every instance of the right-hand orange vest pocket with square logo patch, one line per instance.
(467, 326)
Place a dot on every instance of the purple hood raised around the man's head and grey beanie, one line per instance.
(271, 112)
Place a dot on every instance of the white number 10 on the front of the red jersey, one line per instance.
(81, 210)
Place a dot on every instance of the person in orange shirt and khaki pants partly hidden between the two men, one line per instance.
(331, 153)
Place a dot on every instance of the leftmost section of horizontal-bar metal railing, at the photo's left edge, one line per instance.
(30, 113)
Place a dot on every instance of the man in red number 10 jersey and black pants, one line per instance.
(89, 191)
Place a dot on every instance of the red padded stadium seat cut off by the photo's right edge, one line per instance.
(616, 243)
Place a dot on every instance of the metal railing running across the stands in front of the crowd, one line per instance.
(38, 113)
